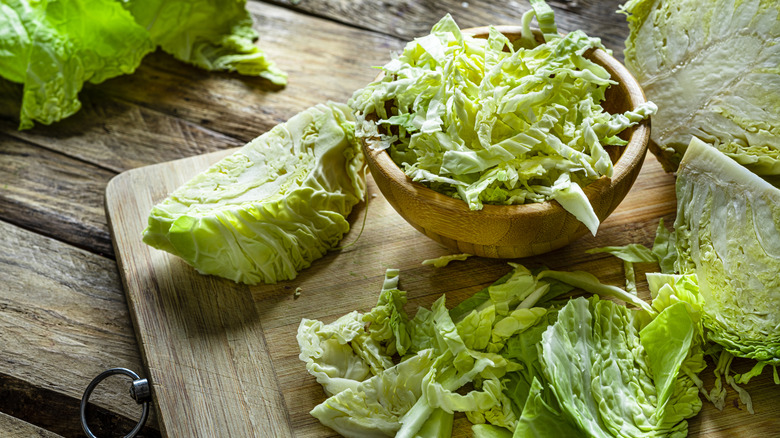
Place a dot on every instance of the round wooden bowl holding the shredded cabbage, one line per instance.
(510, 231)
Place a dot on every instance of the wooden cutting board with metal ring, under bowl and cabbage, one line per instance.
(222, 358)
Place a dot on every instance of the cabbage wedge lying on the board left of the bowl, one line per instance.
(268, 210)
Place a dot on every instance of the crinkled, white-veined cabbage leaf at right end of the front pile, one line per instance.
(611, 378)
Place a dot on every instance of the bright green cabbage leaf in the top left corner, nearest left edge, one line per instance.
(53, 47)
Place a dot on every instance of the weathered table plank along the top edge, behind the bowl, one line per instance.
(408, 19)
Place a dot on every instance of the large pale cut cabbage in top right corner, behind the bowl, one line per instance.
(712, 68)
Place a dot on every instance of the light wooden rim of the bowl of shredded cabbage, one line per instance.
(631, 157)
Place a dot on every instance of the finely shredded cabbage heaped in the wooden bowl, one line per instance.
(486, 125)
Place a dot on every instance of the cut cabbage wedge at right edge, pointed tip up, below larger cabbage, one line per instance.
(728, 234)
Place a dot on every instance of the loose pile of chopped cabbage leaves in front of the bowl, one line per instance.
(536, 366)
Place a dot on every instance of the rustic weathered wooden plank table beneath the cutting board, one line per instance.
(63, 313)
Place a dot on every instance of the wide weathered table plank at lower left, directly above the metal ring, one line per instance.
(64, 320)
